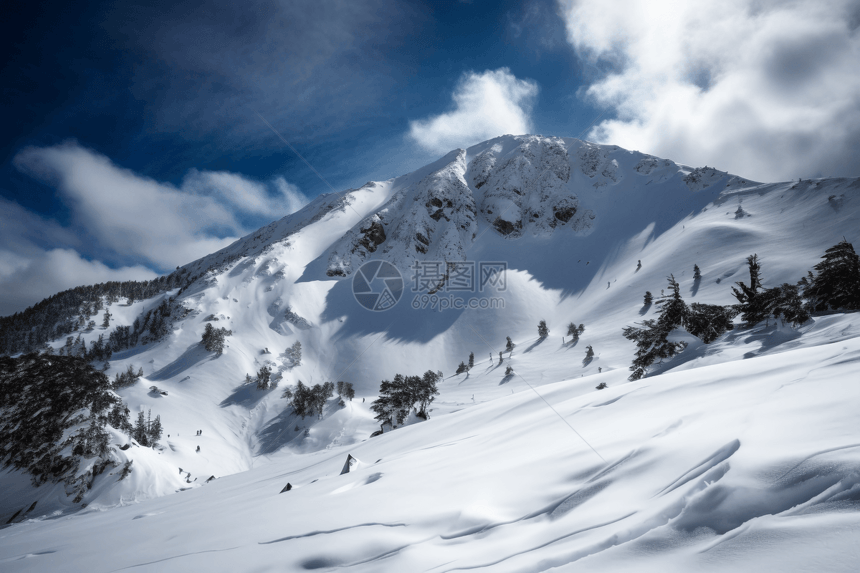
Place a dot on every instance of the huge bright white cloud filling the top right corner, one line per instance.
(766, 89)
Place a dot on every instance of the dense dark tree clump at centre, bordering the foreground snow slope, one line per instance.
(401, 395)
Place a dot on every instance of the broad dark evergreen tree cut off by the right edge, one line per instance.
(836, 284)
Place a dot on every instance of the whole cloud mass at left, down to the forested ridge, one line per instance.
(118, 216)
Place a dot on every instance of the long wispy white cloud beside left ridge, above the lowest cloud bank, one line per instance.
(157, 223)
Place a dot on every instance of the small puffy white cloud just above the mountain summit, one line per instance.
(486, 105)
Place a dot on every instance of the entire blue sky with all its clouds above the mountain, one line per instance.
(132, 142)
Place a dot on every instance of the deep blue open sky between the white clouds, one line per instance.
(161, 88)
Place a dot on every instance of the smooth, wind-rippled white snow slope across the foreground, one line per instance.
(750, 464)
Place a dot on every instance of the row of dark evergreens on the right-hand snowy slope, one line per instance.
(834, 286)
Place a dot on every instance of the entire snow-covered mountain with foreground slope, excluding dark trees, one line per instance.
(739, 454)
